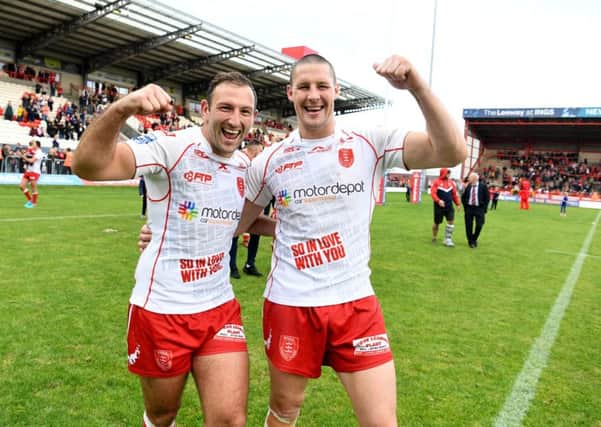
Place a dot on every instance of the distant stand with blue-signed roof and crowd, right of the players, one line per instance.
(557, 149)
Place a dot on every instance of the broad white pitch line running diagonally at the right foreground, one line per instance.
(517, 403)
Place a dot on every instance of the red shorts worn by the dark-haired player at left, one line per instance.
(163, 345)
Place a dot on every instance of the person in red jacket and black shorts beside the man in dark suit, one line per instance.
(444, 194)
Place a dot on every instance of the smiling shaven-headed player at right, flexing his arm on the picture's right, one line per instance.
(320, 307)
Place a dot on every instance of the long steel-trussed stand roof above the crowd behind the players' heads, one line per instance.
(158, 43)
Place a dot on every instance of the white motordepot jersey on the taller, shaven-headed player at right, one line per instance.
(325, 195)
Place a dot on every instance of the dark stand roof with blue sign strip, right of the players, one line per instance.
(577, 128)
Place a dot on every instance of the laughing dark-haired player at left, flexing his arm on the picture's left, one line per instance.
(183, 316)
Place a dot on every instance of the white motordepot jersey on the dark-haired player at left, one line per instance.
(195, 202)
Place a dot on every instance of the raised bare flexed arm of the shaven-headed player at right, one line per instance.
(443, 144)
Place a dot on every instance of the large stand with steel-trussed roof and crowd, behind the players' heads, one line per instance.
(84, 53)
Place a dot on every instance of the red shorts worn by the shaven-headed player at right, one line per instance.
(348, 337)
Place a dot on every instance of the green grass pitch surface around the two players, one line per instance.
(461, 321)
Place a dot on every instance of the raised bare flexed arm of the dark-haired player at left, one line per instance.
(98, 155)
